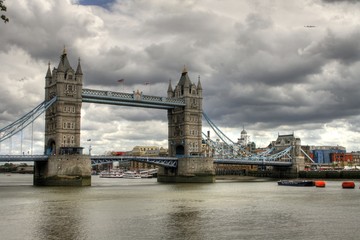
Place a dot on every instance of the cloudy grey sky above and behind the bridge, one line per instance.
(273, 67)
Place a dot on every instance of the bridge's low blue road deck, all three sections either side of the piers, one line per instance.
(161, 161)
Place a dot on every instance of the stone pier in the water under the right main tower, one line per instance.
(189, 170)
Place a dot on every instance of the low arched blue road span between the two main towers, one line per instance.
(160, 161)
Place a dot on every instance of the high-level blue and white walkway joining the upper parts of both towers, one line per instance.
(130, 99)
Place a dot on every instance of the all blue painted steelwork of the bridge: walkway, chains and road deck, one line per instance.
(138, 100)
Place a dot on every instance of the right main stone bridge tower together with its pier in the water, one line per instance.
(185, 135)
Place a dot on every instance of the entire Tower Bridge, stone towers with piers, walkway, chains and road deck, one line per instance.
(64, 163)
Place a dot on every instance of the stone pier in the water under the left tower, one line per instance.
(63, 170)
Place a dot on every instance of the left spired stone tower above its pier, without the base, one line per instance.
(62, 127)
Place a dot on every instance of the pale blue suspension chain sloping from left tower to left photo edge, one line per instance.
(25, 120)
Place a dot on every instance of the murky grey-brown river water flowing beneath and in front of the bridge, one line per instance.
(145, 209)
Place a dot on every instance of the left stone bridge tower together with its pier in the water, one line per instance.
(66, 164)
